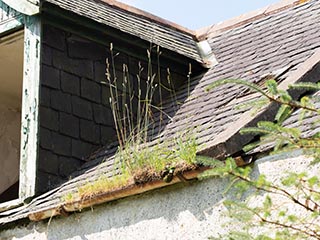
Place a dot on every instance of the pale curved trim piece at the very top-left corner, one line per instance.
(27, 7)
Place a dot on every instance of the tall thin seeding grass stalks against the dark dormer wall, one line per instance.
(132, 125)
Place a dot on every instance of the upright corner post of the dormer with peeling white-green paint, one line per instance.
(30, 107)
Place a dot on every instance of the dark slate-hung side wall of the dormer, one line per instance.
(75, 114)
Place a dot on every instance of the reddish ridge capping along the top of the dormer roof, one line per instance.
(150, 16)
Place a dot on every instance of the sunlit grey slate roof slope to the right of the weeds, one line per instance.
(283, 41)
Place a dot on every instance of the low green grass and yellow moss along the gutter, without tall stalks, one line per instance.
(146, 165)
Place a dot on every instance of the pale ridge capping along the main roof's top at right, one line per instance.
(209, 31)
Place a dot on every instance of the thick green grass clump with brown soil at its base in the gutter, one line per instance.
(146, 164)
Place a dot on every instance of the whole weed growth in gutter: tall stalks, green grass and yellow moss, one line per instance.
(133, 112)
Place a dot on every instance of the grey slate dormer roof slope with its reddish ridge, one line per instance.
(137, 23)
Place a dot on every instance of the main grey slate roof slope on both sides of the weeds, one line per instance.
(286, 42)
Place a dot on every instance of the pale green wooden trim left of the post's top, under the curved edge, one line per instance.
(10, 19)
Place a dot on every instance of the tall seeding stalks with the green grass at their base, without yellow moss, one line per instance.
(133, 110)
